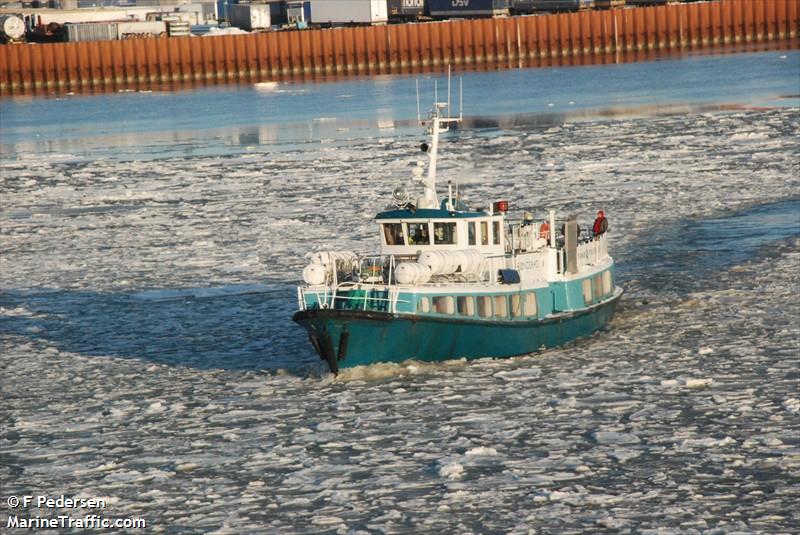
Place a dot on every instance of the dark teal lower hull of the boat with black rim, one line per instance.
(349, 338)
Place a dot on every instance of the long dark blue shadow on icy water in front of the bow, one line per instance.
(242, 327)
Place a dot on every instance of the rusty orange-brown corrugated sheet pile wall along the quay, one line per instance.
(108, 65)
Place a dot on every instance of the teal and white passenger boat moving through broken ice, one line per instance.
(454, 282)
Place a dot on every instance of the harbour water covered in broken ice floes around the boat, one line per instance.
(148, 267)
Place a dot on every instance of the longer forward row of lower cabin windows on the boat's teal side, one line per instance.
(486, 306)
